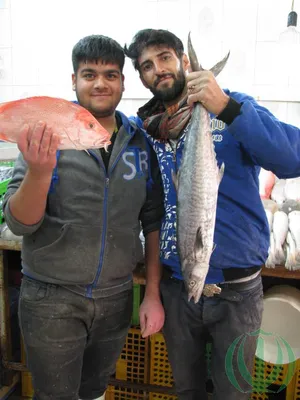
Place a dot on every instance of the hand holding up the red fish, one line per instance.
(38, 146)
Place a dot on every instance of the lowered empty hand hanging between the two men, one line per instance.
(152, 315)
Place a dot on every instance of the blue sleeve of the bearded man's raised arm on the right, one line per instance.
(270, 143)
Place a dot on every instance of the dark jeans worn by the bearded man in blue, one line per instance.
(226, 317)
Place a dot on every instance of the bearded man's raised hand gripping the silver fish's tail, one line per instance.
(203, 87)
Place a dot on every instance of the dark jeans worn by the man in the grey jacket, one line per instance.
(72, 343)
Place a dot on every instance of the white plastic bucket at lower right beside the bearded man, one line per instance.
(279, 340)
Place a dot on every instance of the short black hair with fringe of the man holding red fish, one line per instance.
(95, 47)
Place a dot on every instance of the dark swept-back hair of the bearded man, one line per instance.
(152, 37)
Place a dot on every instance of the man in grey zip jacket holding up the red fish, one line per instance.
(80, 217)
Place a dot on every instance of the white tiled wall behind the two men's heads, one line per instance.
(37, 36)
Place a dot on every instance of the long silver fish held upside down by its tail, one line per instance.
(197, 185)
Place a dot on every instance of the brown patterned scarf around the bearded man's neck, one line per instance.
(164, 124)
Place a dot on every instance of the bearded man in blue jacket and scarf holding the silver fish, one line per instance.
(246, 137)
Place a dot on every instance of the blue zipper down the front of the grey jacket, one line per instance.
(107, 175)
